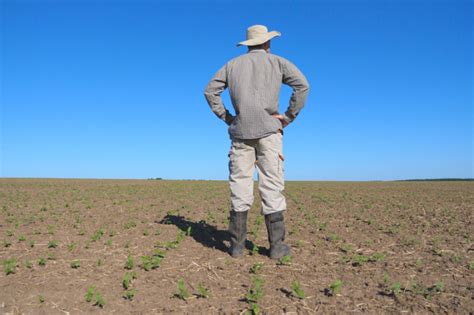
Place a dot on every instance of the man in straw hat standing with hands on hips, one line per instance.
(254, 81)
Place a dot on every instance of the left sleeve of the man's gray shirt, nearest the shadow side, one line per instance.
(213, 92)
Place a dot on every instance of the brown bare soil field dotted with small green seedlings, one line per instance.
(397, 247)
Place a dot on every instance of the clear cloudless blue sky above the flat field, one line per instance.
(114, 89)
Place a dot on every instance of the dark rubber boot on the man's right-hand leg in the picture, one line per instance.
(276, 235)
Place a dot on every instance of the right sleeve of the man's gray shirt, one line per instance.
(293, 77)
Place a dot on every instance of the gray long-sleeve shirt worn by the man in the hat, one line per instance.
(254, 81)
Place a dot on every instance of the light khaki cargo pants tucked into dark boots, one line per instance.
(267, 155)
